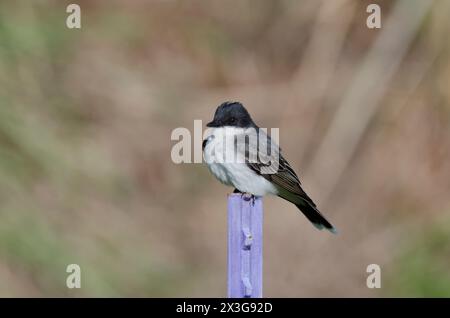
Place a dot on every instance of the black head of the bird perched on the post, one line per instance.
(231, 114)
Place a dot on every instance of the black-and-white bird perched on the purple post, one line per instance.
(266, 174)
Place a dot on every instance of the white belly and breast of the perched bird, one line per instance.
(238, 175)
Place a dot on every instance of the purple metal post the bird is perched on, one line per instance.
(245, 240)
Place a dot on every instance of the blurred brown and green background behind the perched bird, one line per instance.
(86, 117)
